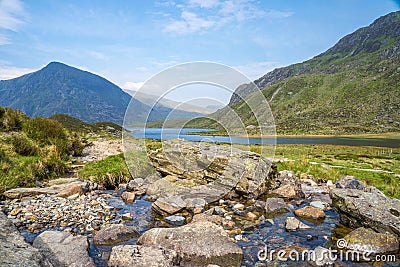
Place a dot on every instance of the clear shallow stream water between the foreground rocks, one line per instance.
(262, 236)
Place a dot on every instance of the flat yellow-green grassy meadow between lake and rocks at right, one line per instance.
(362, 162)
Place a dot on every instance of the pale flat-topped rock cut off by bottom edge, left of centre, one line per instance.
(139, 256)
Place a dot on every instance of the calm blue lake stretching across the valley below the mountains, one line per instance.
(173, 133)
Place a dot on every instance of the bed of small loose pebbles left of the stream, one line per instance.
(77, 213)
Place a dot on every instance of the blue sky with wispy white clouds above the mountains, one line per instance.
(128, 42)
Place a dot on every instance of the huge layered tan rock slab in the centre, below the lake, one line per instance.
(196, 164)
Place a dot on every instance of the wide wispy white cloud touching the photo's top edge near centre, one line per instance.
(198, 15)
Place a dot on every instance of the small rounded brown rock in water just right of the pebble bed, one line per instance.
(114, 234)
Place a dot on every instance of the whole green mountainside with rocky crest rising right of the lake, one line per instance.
(353, 87)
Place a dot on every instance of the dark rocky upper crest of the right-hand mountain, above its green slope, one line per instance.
(381, 37)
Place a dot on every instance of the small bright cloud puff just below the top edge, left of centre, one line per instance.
(189, 23)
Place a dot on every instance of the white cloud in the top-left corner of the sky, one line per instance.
(11, 17)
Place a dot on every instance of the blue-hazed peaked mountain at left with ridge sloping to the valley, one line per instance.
(62, 89)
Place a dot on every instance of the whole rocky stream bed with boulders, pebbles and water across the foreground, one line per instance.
(228, 221)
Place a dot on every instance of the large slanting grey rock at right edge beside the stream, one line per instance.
(363, 209)
